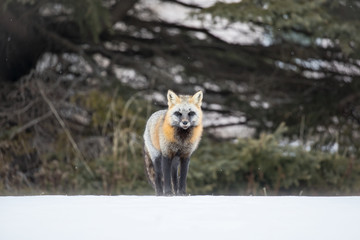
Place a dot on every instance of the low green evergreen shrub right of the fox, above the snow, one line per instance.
(268, 166)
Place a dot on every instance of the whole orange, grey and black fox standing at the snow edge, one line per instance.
(170, 137)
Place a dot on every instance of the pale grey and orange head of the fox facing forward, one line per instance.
(184, 111)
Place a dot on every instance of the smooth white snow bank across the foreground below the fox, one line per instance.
(193, 217)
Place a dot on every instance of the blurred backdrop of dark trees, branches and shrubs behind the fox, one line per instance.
(80, 78)
